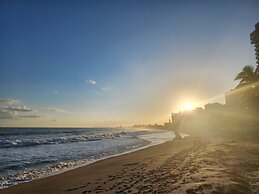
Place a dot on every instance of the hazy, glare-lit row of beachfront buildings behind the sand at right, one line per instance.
(240, 113)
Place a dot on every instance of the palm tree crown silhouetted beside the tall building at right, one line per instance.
(247, 76)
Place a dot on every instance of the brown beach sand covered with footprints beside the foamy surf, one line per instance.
(190, 165)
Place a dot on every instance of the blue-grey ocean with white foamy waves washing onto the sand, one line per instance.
(32, 153)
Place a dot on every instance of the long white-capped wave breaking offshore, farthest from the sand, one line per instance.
(25, 142)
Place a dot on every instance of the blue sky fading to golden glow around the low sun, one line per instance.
(111, 63)
